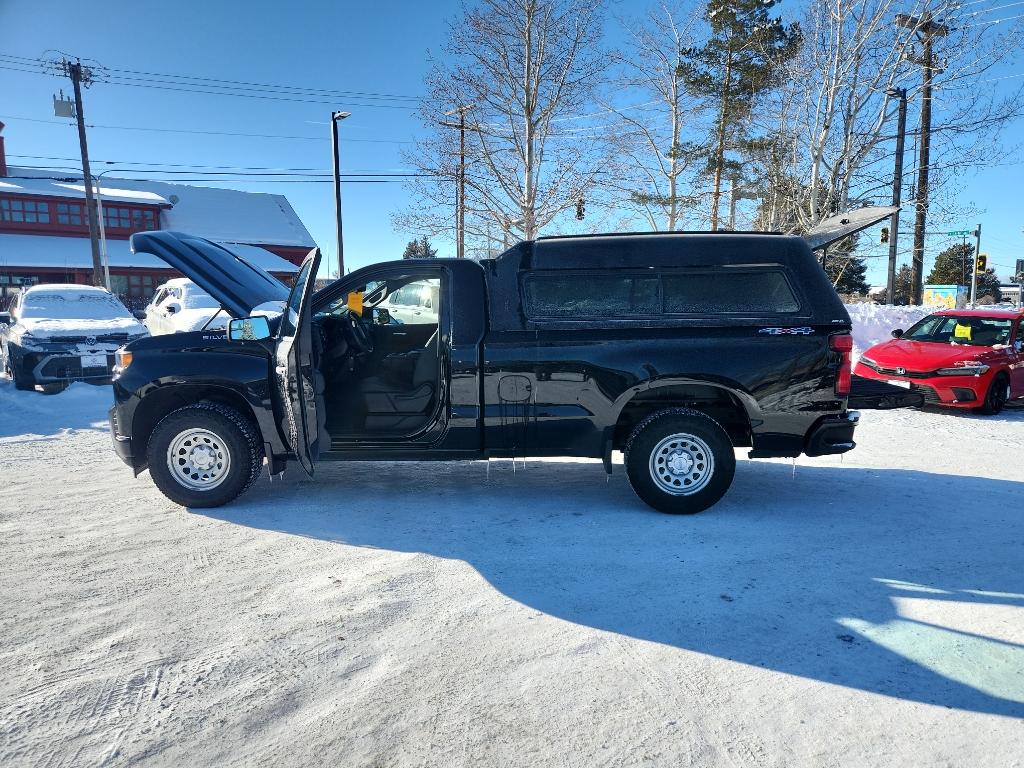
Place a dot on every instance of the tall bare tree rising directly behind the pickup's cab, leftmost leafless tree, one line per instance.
(525, 66)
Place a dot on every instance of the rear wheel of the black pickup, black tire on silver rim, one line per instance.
(703, 447)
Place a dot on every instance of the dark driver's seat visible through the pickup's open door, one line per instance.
(393, 405)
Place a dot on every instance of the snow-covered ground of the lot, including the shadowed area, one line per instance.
(867, 612)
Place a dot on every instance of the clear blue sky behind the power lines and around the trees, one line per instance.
(380, 48)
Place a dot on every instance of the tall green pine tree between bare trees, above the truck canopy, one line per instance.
(743, 59)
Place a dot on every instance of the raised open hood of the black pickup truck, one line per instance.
(238, 285)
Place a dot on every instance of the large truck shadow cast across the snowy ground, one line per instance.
(902, 583)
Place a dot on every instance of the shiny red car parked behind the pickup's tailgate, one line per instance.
(957, 358)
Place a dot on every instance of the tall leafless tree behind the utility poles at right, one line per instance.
(833, 122)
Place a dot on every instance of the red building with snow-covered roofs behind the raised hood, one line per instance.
(45, 233)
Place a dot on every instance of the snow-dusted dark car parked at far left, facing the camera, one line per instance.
(55, 334)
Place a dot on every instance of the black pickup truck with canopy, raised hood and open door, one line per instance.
(674, 349)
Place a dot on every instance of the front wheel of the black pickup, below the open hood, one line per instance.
(235, 438)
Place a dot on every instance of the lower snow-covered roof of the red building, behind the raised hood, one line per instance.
(68, 253)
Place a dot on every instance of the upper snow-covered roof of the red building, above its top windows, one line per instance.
(224, 216)
